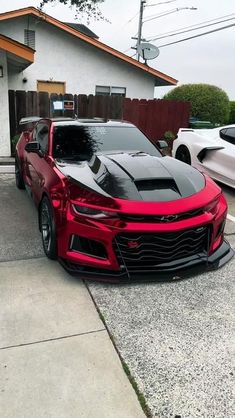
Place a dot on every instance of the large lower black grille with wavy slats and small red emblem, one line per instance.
(146, 252)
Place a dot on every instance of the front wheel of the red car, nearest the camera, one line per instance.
(47, 228)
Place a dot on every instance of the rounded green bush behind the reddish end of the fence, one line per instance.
(208, 102)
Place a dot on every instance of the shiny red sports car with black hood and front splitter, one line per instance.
(110, 206)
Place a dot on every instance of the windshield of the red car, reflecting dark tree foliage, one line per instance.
(80, 142)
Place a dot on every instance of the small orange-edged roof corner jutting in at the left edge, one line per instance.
(18, 55)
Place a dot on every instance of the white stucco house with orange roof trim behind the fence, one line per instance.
(68, 58)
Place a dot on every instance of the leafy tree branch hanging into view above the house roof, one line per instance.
(88, 7)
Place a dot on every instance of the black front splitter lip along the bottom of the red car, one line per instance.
(176, 270)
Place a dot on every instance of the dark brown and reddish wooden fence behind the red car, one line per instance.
(153, 117)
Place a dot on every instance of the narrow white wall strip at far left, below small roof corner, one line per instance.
(5, 150)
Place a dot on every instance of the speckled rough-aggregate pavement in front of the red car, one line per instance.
(178, 338)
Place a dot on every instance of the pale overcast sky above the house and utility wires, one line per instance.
(207, 59)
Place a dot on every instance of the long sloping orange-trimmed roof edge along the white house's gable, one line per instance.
(161, 79)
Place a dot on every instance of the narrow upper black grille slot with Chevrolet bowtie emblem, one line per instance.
(161, 218)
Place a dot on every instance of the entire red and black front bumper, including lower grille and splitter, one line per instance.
(143, 251)
